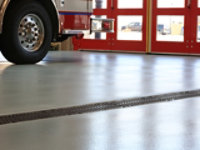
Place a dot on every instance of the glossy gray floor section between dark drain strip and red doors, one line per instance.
(74, 78)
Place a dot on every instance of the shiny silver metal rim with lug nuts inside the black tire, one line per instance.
(31, 32)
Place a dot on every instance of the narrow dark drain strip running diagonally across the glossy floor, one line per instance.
(50, 113)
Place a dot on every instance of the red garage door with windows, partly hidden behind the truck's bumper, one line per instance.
(130, 26)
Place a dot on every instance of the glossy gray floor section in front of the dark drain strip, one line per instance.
(162, 126)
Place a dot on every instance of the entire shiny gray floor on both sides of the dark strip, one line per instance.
(66, 79)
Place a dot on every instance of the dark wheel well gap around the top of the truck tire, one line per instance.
(50, 8)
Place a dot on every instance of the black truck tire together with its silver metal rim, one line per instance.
(27, 32)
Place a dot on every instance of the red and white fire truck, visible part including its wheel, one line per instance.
(27, 27)
